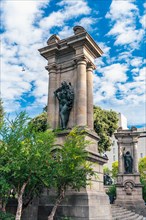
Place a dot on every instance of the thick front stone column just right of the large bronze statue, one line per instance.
(81, 93)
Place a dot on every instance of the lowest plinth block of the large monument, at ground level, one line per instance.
(79, 206)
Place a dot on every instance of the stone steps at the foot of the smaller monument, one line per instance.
(119, 213)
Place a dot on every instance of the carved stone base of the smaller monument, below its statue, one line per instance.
(129, 193)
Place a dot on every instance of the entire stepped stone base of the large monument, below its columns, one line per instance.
(91, 203)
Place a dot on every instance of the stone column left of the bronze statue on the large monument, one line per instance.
(51, 97)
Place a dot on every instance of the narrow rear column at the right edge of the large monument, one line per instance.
(90, 96)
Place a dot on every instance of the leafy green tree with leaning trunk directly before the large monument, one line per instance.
(70, 168)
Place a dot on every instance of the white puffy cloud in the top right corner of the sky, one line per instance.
(124, 14)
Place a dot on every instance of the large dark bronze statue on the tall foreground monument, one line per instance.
(65, 96)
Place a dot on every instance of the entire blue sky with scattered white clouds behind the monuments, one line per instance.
(116, 25)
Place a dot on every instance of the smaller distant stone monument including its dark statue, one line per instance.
(129, 188)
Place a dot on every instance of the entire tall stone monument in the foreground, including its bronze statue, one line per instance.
(70, 103)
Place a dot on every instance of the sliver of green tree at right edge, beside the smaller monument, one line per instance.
(142, 170)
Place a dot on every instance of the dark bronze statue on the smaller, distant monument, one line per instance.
(128, 162)
